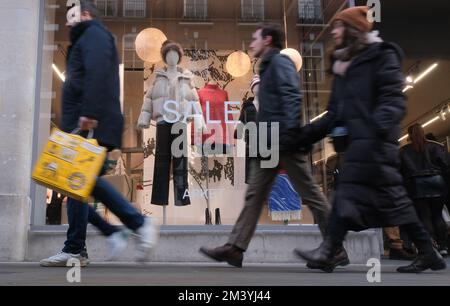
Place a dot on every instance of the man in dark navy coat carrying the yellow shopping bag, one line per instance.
(90, 102)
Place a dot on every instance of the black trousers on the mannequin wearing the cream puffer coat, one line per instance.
(163, 161)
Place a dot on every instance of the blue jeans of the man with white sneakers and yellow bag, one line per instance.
(79, 214)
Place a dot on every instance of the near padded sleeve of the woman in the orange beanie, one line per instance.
(390, 102)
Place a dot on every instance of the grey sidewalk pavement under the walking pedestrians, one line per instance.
(214, 274)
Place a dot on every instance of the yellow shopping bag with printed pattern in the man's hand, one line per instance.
(70, 164)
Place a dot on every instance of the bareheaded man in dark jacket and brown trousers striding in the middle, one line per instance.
(279, 103)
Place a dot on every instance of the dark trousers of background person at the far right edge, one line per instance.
(429, 211)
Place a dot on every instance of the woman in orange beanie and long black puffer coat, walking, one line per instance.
(365, 110)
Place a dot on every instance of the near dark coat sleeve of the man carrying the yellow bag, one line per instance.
(97, 51)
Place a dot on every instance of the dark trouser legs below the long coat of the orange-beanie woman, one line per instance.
(337, 230)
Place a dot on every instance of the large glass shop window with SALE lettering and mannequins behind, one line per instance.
(216, 72)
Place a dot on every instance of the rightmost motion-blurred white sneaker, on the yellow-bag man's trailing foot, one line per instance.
(148, 238)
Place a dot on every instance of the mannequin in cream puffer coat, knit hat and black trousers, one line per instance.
(172, 84)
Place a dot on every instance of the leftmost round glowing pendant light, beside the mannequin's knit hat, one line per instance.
(149, 43)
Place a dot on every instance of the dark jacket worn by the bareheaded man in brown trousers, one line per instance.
(279, 96)
